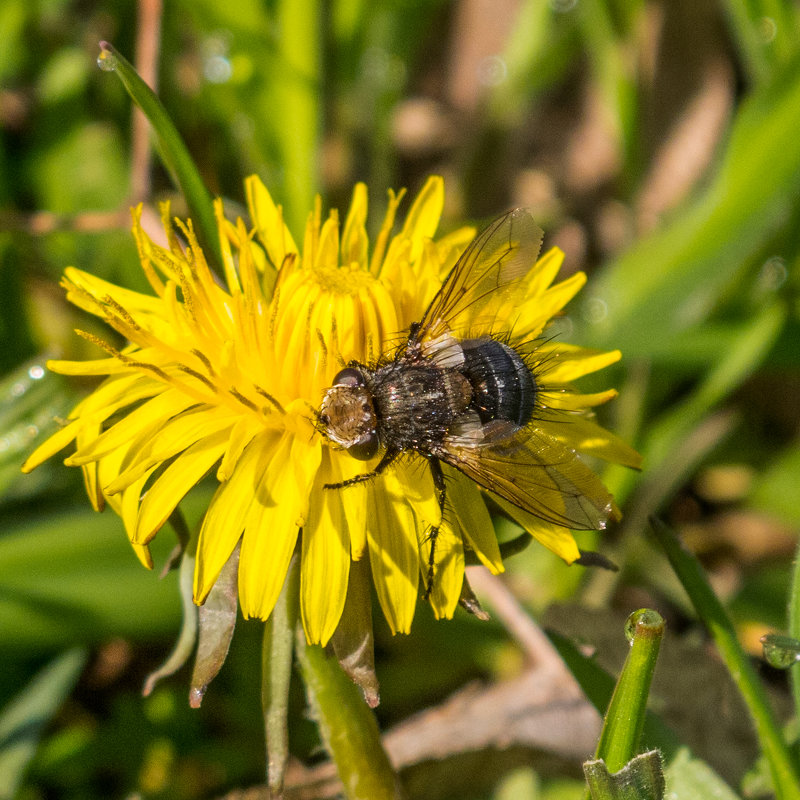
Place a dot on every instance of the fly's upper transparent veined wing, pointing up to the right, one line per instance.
(490, 267)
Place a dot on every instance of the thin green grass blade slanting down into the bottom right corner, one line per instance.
(784, 773)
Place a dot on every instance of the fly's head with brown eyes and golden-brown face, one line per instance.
(347, 414)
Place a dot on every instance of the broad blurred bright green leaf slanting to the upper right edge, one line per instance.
(670, 281)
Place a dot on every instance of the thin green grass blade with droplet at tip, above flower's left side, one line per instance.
(171, 149)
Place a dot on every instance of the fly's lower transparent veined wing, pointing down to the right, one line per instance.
(534, 472)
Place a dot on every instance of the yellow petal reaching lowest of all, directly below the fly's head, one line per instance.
(325, 563)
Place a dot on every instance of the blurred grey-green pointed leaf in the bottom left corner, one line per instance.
(25, 716)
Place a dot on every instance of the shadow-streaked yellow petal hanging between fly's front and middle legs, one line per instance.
(393, 551)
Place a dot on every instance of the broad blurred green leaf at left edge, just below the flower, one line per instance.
(72, 577)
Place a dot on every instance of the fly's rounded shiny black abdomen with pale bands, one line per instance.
(503, 386)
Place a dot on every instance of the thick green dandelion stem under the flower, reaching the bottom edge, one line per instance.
(347, 725)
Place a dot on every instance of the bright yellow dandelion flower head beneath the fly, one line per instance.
(230, 378)
